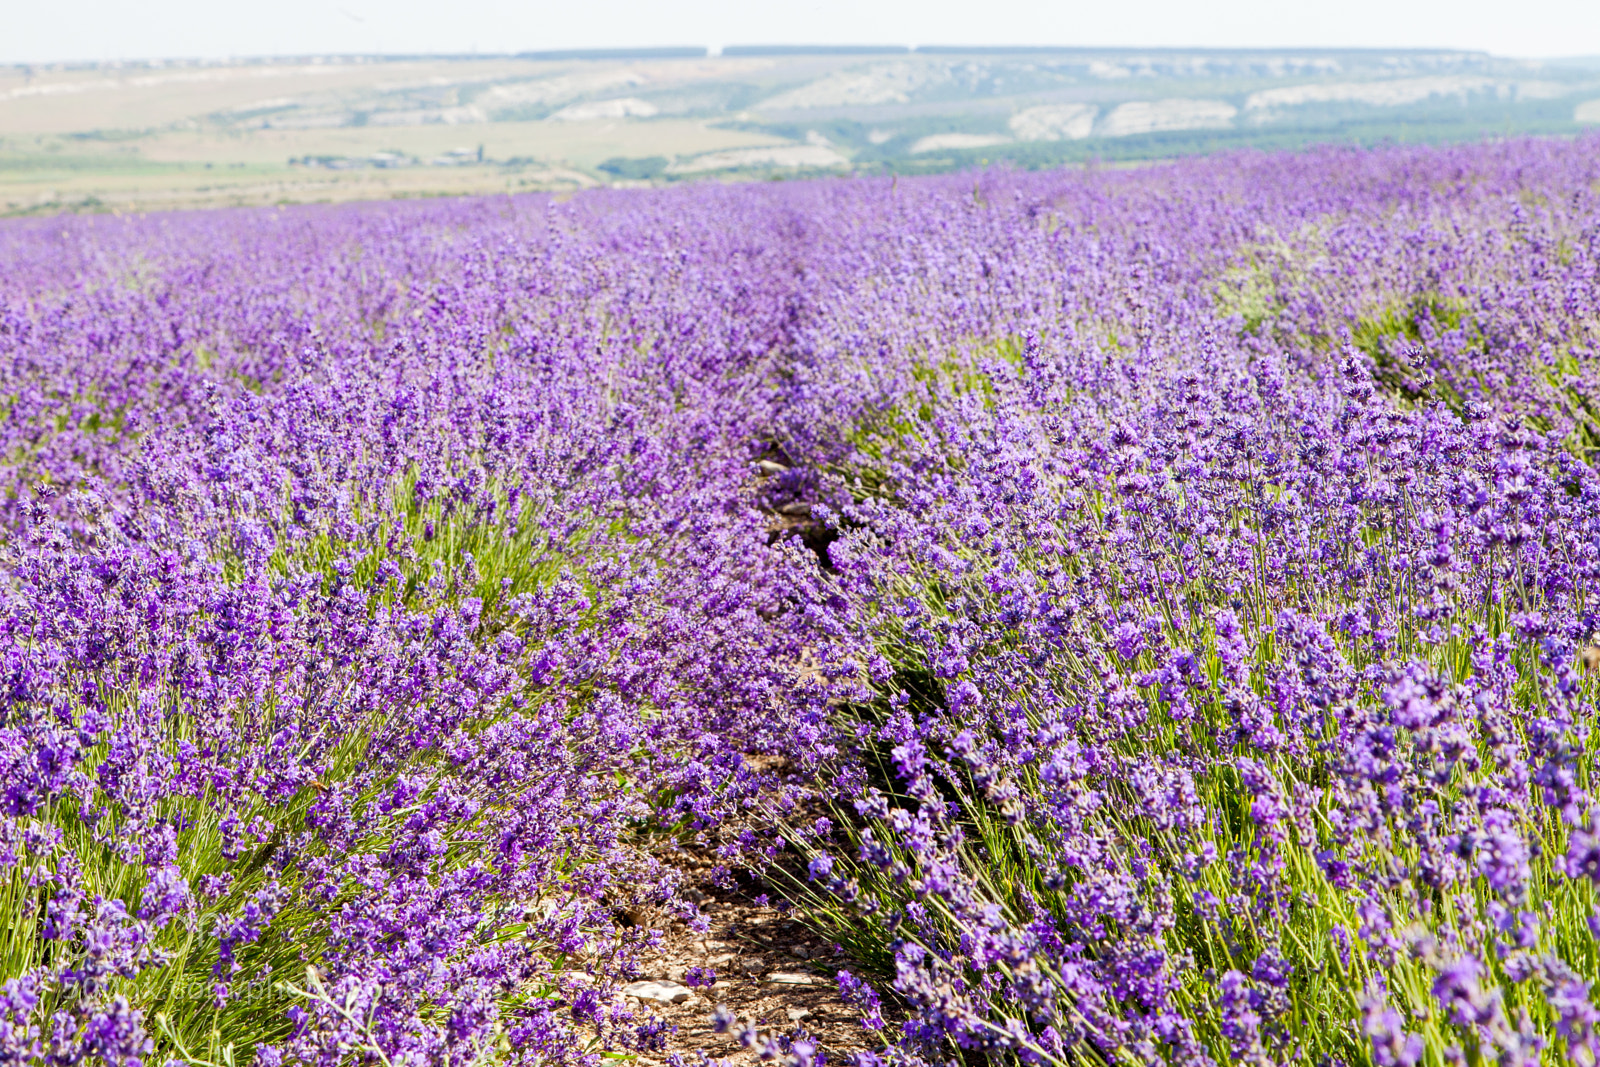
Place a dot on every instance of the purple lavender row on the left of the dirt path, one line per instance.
(374, 577)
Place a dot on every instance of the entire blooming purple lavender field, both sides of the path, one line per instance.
(1138, 617)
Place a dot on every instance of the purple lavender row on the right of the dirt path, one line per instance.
(1212, 612)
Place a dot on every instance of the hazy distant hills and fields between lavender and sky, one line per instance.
(137, 137)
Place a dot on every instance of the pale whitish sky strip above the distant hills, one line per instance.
(44, 31)
